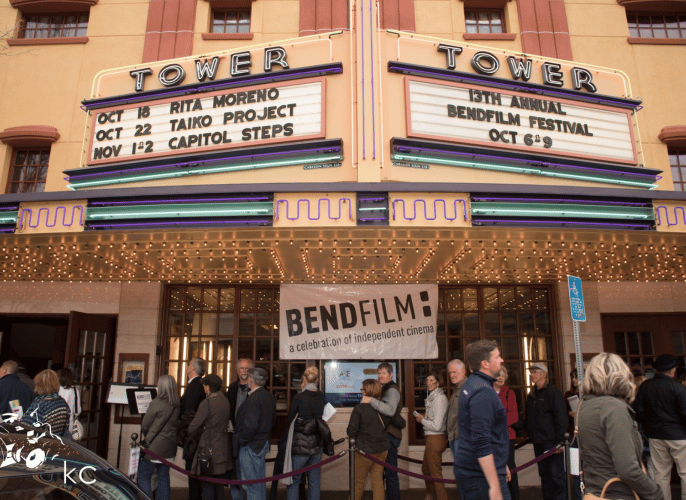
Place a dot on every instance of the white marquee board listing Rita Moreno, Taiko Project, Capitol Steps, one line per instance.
(242, 117)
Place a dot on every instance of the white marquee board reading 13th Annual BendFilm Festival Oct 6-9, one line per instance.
(476, 115)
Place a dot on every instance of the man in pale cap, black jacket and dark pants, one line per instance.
(546, 424)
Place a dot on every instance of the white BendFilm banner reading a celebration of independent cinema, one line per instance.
(358, 321)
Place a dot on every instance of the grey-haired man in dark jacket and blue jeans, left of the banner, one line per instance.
(254, 422)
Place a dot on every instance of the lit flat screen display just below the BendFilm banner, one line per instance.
(343, 380)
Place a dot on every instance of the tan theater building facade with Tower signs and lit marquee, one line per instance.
(169, 166)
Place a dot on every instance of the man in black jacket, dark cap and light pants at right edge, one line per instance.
(661, 409)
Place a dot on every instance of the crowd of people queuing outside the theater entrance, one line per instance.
(227, 435)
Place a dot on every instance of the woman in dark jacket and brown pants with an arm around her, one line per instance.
(368, 428)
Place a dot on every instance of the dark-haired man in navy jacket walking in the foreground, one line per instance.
(481, 472)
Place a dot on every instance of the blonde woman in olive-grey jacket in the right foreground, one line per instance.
(610, 445)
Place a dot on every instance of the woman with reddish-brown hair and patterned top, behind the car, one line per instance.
(48, 408)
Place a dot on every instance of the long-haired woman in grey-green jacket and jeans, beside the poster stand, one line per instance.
(158, 434)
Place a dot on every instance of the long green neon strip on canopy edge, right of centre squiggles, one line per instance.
(492, 210)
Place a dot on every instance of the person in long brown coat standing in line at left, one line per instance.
(213, 415)
